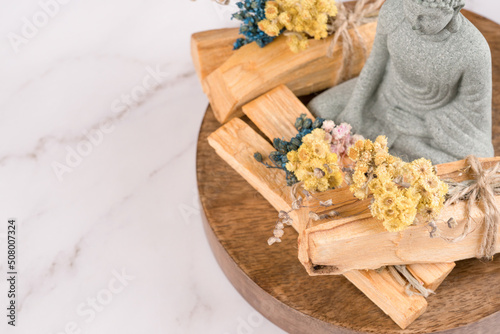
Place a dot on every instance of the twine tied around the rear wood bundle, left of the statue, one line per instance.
(345, 20)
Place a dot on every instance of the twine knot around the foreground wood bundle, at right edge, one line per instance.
(481, 190)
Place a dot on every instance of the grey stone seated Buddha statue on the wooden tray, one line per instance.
(427, 84)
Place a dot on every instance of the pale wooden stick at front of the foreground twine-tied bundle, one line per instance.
(346, 244)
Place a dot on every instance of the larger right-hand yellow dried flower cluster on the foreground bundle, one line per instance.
(400, 190)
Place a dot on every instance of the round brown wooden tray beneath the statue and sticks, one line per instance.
(239, 221)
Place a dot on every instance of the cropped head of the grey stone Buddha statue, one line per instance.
(430, 17)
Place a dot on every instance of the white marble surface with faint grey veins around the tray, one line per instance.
(110, 236)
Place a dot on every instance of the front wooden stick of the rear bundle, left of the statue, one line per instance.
(252, 71)
